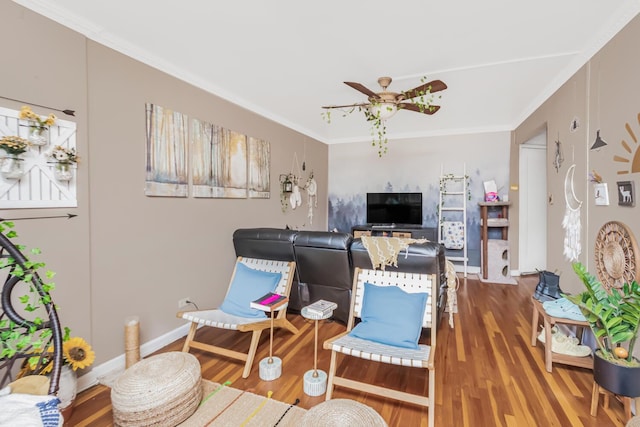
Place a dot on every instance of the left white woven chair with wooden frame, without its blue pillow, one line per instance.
(218, 319)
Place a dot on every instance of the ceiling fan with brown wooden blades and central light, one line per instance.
(383, 105)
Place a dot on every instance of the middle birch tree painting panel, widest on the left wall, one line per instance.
(219, 162)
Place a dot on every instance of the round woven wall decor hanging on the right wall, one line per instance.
(616, 255)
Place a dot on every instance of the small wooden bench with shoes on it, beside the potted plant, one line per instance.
(548, 323)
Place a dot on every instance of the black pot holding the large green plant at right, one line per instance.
(618, 379)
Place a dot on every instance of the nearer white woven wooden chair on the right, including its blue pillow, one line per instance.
(392, 308)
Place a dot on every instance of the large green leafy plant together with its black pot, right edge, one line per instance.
(614, 318)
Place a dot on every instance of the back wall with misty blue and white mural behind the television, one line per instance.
(416, 166)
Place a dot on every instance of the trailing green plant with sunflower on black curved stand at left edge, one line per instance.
(30, 331)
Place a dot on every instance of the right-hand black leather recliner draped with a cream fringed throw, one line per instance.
(426, 258)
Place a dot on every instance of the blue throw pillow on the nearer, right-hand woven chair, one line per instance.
(391, 316)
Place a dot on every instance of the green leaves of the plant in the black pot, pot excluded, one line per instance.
(614, 317)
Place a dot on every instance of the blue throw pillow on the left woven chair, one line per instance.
(248, 285)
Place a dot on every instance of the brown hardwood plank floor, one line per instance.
(487, 373)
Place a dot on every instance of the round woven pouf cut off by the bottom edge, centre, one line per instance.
(340, 413)
